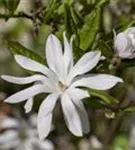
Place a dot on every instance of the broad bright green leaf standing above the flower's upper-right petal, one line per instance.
(89, 30)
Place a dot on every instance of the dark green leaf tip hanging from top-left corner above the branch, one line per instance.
(11, 5)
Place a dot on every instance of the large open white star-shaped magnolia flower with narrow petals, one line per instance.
(61, 79)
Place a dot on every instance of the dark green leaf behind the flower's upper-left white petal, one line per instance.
(17, 48)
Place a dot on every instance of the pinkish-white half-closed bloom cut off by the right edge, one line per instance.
(124, 44)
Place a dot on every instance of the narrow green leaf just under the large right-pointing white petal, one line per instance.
(103, 95)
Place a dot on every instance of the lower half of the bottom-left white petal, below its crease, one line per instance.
(44, 125)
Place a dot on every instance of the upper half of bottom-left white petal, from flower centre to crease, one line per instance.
(48, 104)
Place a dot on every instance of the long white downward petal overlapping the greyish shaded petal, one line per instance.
(71, 115)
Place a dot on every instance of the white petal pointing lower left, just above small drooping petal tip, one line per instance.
(26, 94)
